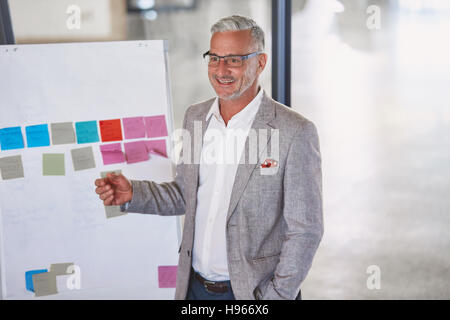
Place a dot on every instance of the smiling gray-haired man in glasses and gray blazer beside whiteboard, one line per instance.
(251, 227)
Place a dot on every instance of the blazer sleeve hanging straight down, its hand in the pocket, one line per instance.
(302, 214)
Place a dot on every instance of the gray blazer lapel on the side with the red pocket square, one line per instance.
(265, 114)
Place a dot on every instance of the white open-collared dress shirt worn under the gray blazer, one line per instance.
(221, 153)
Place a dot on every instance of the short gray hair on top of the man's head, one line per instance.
(236, 23)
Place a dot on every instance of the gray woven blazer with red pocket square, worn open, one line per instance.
(274, 223)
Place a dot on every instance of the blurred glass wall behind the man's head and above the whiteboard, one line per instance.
(184, 23)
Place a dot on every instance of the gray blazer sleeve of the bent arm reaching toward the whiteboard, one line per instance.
(167, 198)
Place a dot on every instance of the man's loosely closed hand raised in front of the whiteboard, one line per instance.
(114, 190)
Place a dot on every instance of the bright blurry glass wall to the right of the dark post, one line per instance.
(374, 77)
